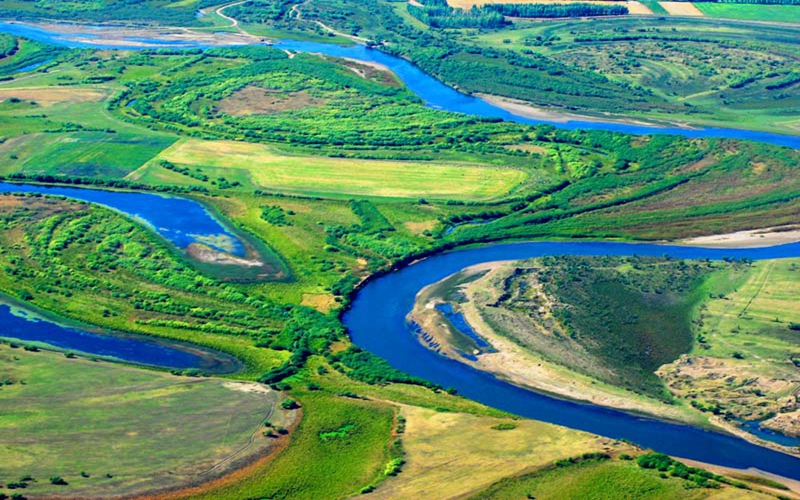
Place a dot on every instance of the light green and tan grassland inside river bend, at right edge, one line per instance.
(743, 365)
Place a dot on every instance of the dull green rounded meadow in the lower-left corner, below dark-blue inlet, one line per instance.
(110, 430)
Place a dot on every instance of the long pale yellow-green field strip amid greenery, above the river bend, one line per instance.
(262, 167)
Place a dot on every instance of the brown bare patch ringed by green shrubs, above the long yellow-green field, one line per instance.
(254, 100)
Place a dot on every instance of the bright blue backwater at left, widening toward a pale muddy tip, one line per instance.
(180, 220)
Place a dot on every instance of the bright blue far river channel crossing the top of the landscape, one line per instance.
(432, 91)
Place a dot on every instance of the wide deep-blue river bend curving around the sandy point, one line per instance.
(377, 323)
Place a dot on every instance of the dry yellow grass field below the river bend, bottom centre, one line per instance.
(451, 455)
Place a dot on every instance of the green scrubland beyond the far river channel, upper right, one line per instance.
(659, 69)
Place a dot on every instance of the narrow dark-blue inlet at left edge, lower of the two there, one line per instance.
(15, 324)
